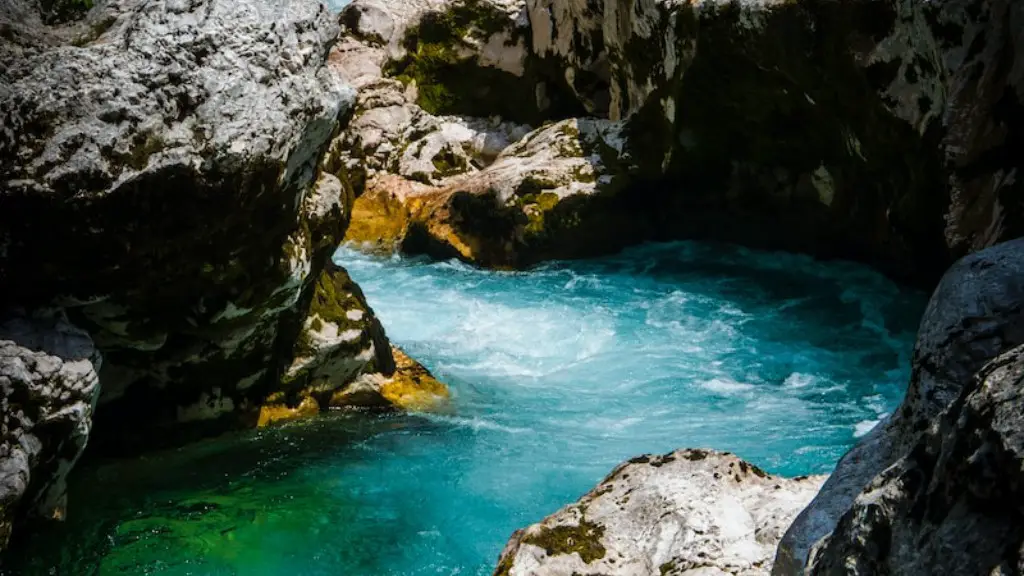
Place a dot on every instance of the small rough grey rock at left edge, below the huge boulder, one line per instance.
(49, 388)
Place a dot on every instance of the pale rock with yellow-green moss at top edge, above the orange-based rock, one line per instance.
(462, 57)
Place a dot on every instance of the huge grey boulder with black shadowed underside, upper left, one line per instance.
(164, 180)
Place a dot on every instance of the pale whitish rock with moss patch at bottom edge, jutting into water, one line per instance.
(688, 513)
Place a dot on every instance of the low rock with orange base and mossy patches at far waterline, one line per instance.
(551, 195)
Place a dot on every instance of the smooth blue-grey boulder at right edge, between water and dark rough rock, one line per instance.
(976, 313)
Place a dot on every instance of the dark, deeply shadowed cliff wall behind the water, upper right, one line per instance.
(842, 129)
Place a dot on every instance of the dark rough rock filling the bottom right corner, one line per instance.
(955, 503)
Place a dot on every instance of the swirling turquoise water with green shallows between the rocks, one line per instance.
(559, 375)
